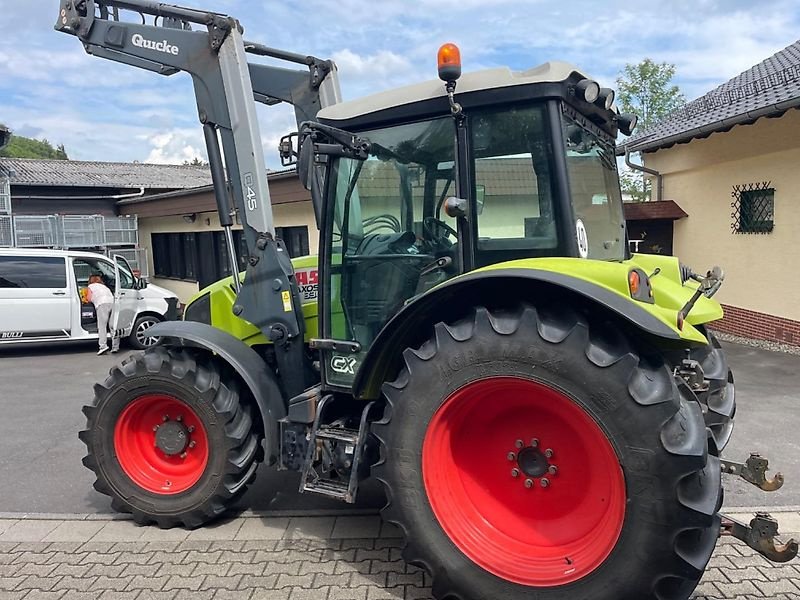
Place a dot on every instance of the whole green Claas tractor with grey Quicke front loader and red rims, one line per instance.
(545, 410)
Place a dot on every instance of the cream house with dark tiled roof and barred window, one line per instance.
(731, 161)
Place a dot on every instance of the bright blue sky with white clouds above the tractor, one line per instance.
(100, 110)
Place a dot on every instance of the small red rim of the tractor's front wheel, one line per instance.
(141, 452)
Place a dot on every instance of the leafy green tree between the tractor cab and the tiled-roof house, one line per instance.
(646, 89)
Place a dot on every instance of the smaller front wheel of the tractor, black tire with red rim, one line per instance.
(207, 451)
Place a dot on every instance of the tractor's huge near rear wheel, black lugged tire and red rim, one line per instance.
(450, 424)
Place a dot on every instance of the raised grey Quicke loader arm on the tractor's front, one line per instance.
(209, 46)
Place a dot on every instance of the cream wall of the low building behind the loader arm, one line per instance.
(299, 213)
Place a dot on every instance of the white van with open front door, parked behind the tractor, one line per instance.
(42, 297)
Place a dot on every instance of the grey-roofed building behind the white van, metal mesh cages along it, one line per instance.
(73, 204)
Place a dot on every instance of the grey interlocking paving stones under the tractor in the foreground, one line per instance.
(304, 558)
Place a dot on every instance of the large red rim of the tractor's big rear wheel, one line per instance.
(536, 536)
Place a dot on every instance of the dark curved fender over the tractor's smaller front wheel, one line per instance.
(250, 367)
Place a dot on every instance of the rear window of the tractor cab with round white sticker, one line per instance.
(596, 199)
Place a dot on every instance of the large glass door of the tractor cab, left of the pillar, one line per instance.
(390, 239)
